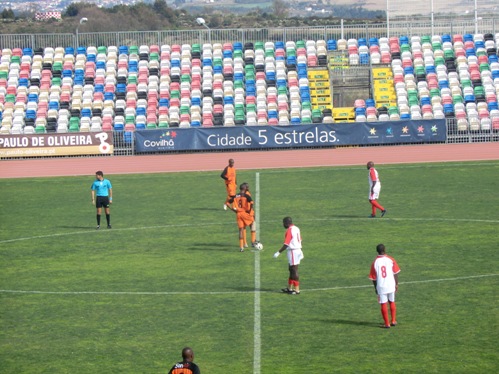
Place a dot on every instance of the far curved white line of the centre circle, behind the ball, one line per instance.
(428, 219)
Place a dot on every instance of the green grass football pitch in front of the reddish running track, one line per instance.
(169, 274)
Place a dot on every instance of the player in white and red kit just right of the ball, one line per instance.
(292, 243)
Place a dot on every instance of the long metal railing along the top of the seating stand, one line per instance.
(201, 36)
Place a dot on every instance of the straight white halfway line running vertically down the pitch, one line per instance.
(257, 333)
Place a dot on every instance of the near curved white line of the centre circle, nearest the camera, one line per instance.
(141, 293)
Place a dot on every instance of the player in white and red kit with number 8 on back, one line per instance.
(384, 274)
